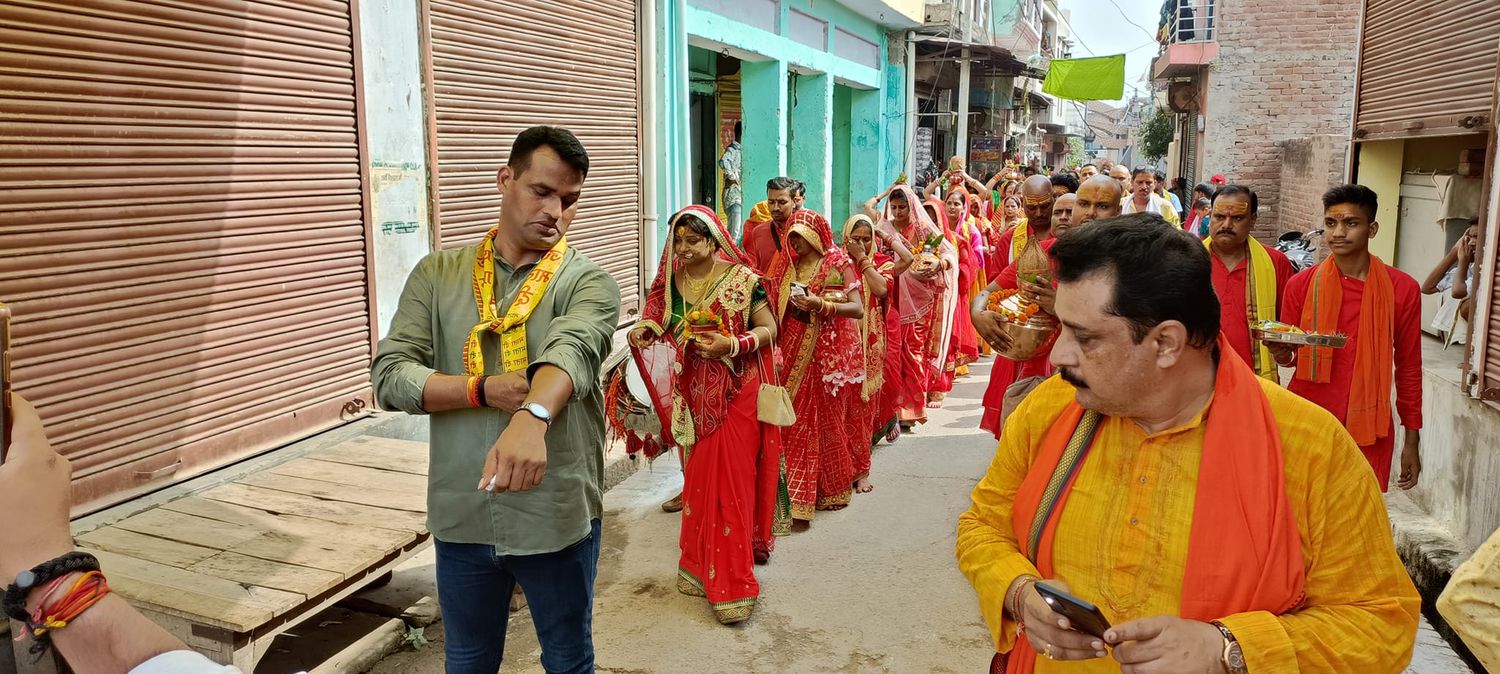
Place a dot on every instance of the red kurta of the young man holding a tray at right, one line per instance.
(1334, 396)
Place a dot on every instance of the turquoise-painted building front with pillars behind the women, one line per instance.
(872, 148)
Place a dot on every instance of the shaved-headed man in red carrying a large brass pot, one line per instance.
(1037, 200)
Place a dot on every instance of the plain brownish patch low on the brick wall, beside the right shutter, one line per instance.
(1309, 167)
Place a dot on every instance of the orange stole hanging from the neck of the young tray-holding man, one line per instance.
(1369, 417)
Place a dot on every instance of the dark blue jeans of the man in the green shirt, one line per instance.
(475, 588)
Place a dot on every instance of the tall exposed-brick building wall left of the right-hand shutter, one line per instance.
(1286, 71)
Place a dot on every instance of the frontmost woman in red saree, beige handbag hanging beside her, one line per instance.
(704, 385)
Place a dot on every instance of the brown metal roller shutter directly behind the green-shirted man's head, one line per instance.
(500, 67)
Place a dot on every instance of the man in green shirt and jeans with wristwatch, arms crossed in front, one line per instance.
(503, 343)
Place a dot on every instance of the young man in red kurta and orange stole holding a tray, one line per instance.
(1381, 310)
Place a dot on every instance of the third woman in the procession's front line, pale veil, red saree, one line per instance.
(872, 411)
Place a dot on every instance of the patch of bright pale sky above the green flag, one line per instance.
(1100, 28)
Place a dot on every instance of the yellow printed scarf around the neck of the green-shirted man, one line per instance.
(512, 326)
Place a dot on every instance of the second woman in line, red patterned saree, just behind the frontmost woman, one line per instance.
(820, 343)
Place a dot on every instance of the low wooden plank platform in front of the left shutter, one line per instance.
(232, 568)
